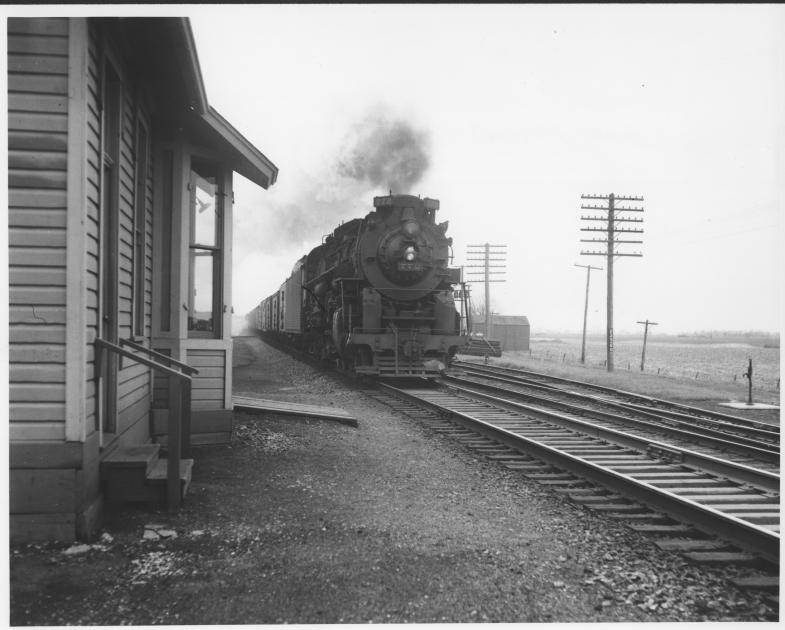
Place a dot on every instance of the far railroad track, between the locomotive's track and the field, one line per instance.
(758, 441)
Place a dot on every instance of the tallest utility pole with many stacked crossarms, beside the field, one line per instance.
(609, 232)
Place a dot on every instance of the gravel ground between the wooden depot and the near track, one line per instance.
(311, 521)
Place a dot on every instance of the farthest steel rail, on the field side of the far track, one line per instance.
(687, 411)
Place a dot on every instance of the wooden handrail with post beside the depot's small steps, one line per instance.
(179, 421)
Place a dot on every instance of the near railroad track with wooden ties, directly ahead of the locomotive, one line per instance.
(710, 509)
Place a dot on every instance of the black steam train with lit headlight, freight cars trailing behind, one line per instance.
(376, 296)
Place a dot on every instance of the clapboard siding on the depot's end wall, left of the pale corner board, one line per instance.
(37, 159)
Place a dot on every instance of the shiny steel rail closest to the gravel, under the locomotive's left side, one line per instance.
(760, 540)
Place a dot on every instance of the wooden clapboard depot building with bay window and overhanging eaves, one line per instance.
(120, 252)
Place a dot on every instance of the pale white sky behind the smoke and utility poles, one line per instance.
(528, 107)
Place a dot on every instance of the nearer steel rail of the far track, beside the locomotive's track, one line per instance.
(700, 434)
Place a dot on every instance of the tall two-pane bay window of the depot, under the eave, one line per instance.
(205, 252)
